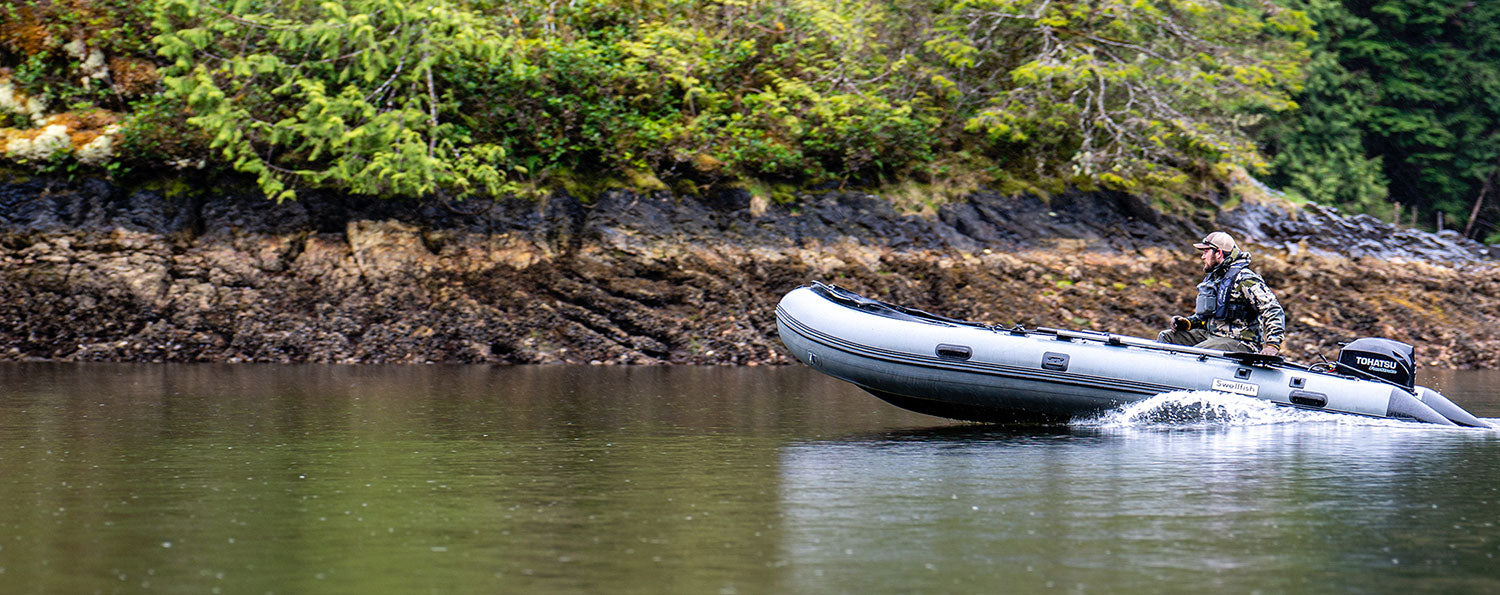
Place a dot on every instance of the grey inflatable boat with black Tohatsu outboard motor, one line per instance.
(977, 372)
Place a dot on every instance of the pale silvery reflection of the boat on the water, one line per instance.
(1279, 507)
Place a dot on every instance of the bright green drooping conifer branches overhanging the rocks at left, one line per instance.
(352, 95)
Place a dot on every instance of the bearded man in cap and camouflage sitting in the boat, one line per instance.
(1235, 309)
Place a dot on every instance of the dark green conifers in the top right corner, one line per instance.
(1405, 98)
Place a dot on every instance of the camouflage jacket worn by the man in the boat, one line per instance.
(1265, 323)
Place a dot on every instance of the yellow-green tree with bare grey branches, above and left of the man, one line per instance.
(1121, 94)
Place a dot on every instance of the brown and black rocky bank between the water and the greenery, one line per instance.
(97, 274)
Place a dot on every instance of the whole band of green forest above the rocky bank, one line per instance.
(1390, 109)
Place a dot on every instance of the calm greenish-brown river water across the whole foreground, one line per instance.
(710, 480)
